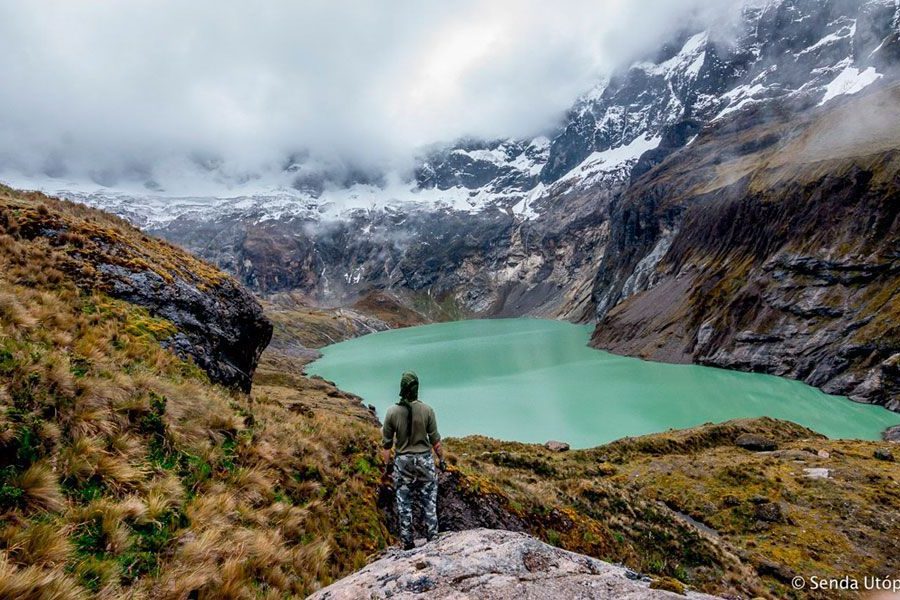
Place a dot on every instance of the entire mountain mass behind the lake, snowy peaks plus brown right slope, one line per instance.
(727, 200)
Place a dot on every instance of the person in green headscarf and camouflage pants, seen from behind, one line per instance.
(411, 427)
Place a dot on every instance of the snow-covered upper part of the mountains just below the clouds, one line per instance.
(804, 52)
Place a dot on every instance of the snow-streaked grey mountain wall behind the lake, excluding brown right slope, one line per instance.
(482, 217)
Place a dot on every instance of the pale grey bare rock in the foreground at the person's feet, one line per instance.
(492, 563)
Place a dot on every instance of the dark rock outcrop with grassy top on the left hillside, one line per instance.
(220, 325)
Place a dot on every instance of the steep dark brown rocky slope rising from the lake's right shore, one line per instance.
(770, 244)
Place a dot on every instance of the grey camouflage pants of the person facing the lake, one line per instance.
(416, 484)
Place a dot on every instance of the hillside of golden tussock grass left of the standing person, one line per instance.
(123, 471)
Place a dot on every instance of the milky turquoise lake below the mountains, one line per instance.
(533, 380)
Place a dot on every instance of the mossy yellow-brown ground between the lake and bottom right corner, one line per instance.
(736, 509)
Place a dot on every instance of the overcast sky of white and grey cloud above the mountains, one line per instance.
(96, 86)
